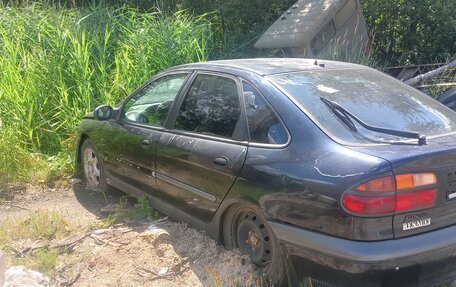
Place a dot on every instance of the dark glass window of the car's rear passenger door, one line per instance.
(211, 107)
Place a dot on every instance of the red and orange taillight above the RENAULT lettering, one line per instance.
(392, 194)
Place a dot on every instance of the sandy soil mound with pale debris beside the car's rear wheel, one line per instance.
(166, 254)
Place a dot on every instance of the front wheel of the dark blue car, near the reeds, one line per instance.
(92, 167)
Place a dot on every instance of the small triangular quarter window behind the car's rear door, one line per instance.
(264, 125)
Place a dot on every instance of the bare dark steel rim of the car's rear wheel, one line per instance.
(253, 238)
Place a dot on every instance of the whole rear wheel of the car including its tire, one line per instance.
(246, 229)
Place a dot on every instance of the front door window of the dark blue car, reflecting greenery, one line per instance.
(151, 105)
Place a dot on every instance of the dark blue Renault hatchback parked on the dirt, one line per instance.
(313, 168)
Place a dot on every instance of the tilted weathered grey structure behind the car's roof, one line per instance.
(315, 28)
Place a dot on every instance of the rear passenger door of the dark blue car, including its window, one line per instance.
(200, 156)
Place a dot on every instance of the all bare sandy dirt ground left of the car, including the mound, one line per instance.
(147, 252)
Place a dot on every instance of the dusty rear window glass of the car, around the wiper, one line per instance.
(375, 98)
